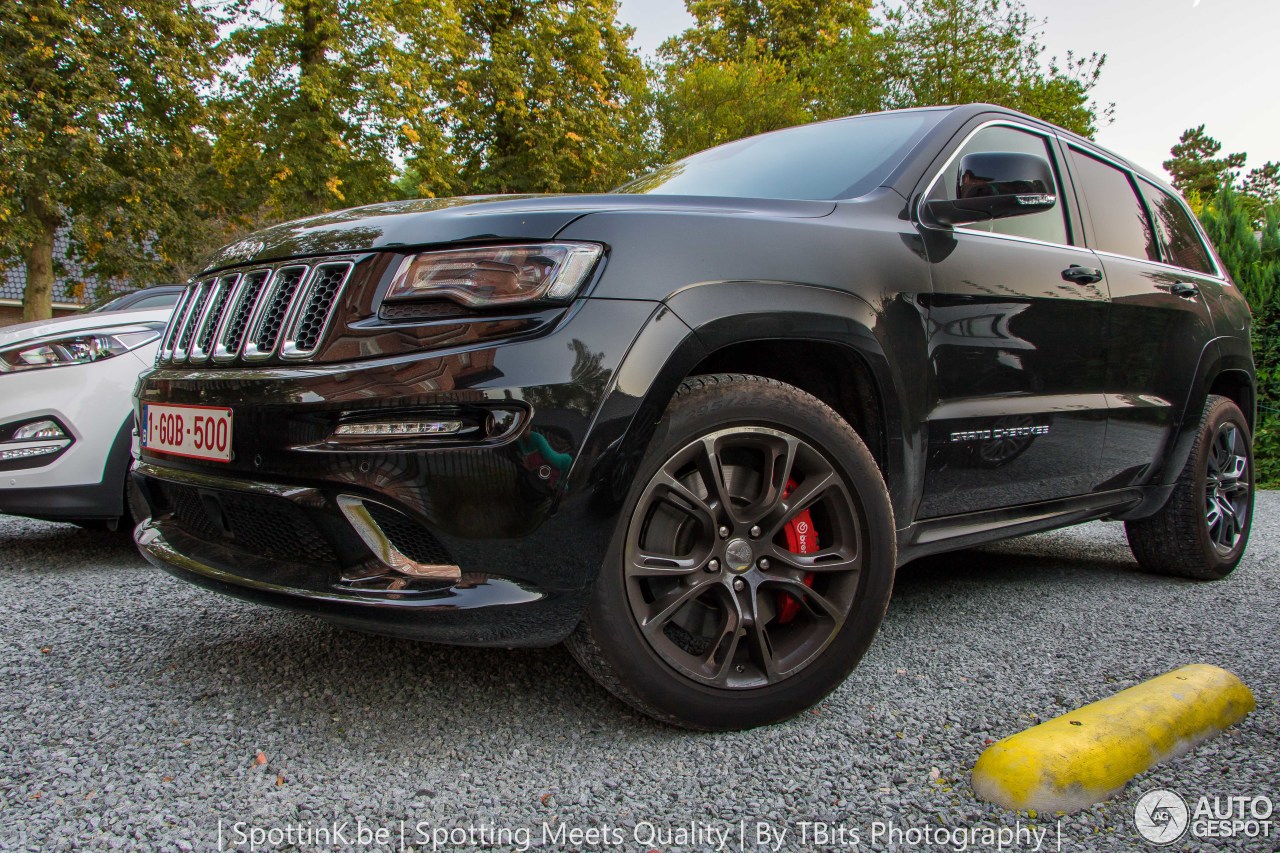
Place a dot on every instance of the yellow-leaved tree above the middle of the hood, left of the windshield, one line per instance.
(546, 97)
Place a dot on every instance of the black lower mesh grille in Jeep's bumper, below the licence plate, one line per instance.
(258, 524)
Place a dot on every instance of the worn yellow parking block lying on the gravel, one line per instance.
(1086, 756)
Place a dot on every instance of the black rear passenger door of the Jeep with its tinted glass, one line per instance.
(1156, 268)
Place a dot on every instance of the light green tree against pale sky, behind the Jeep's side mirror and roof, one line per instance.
(959, 52)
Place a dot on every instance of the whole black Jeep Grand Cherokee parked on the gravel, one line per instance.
(694, 426)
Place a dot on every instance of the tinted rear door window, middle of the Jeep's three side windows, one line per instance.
(1121, 223)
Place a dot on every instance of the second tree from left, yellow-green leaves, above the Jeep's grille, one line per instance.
(321, 97)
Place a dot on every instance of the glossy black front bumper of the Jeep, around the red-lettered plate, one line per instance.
(518, 522)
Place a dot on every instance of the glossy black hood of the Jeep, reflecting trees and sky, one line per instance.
(472, 218)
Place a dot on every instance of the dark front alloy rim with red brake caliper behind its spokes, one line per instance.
(743, 558)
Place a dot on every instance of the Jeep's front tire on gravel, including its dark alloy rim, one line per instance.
(719, 608)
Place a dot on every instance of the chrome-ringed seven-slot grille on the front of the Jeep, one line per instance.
(255, 314)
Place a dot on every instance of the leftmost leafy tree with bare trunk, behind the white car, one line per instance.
(103, 133)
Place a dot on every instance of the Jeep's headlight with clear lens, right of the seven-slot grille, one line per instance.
(496, 275)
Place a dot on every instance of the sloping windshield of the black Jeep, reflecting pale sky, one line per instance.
(842, 159)
